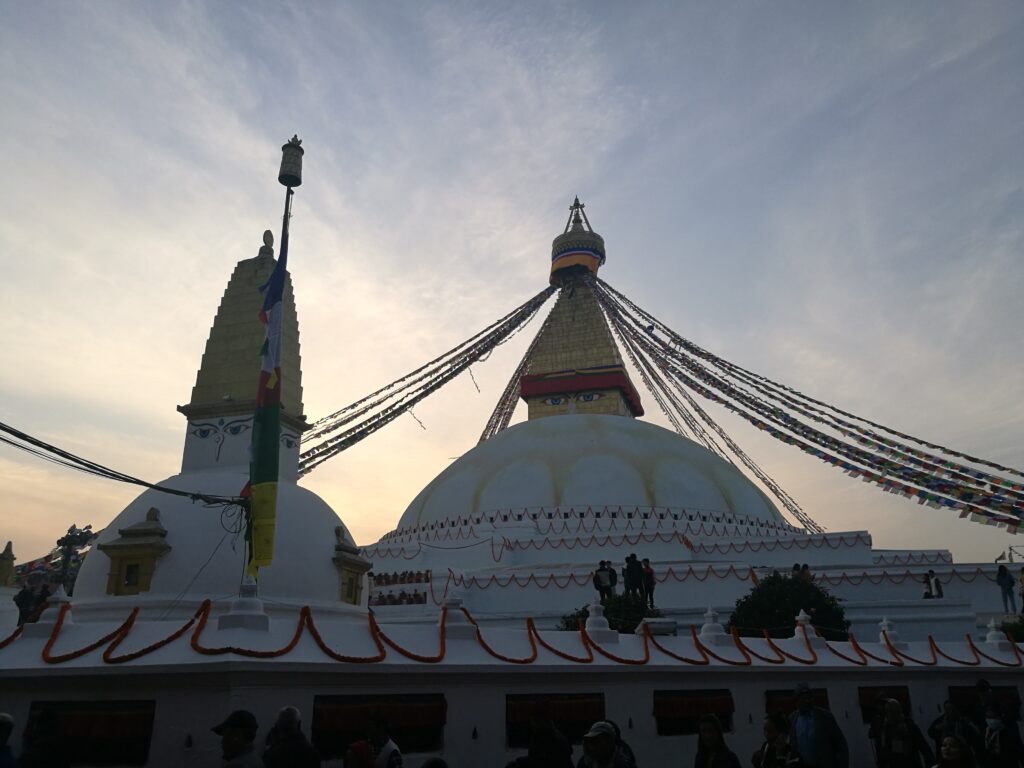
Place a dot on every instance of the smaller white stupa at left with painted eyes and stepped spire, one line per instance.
(169, 553)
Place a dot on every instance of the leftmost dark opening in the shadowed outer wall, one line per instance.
(96, 734)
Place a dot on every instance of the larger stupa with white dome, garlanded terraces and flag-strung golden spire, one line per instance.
(517, 527)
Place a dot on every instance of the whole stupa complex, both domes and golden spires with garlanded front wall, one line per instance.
(164, 635)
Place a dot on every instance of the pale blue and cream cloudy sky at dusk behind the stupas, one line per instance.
(831, 195)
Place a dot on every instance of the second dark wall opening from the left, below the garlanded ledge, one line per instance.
(416, 721)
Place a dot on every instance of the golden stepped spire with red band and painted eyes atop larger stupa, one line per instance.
(576, 366)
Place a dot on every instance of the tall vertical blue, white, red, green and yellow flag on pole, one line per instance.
(263, 488)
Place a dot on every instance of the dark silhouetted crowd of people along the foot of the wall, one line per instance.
(809, 738)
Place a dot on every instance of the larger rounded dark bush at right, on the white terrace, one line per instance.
(775, 604)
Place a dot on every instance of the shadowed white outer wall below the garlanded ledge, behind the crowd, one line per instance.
(195, 698)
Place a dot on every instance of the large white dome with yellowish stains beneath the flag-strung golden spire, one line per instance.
(587, 460)
